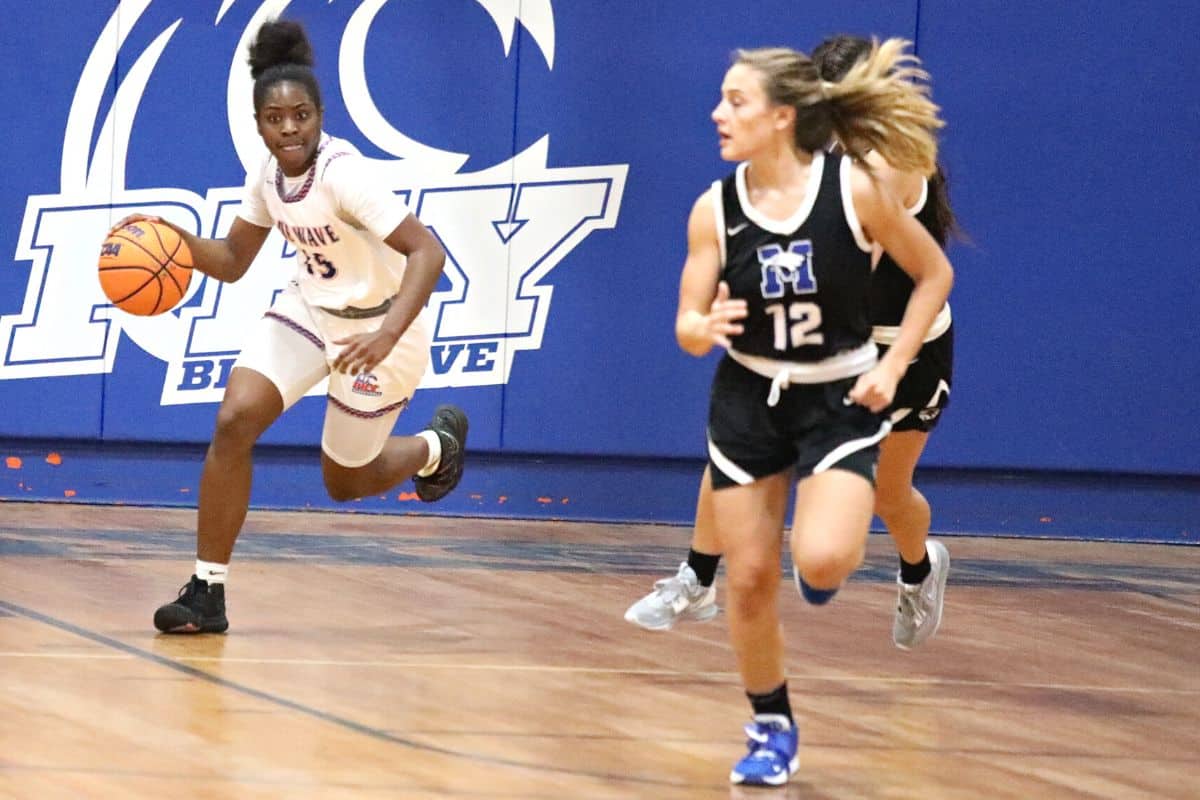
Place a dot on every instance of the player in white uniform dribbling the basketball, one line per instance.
(367, 268)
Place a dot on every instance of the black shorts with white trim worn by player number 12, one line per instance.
(811, 430)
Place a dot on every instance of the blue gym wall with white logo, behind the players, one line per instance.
(1071, 147)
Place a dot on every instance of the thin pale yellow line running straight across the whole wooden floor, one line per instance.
(604, 671)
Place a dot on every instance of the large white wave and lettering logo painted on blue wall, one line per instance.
(505, 228)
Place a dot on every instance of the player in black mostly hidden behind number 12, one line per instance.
(921, 396)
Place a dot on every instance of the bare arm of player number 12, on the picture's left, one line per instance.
(706, 315)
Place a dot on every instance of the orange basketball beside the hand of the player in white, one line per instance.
(146, 268)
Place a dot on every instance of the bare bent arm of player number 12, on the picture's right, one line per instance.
(886, 221)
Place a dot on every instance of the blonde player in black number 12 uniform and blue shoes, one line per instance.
(778, 273)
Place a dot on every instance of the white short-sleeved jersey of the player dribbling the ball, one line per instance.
(337, 216)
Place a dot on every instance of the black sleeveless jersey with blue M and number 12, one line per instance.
(806, 280)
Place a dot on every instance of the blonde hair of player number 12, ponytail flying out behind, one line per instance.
(881, 105)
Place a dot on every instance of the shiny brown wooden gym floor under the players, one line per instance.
(425, 658)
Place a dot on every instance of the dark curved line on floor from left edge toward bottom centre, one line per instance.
(319, 714)
